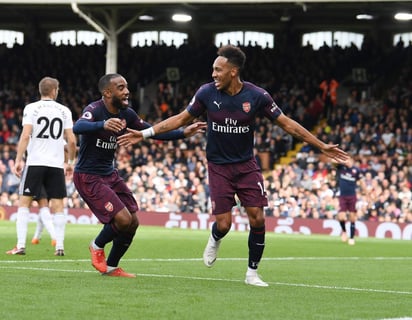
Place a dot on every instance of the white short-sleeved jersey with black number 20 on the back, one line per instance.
(49, 120)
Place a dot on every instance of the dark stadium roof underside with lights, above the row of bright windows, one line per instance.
(208, 15)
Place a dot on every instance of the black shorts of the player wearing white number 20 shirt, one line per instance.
(43, 182)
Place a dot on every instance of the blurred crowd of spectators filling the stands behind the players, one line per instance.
(370, 117)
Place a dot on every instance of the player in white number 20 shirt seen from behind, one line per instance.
(46, 126)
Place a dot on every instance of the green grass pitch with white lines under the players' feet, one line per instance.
(310, 277)
